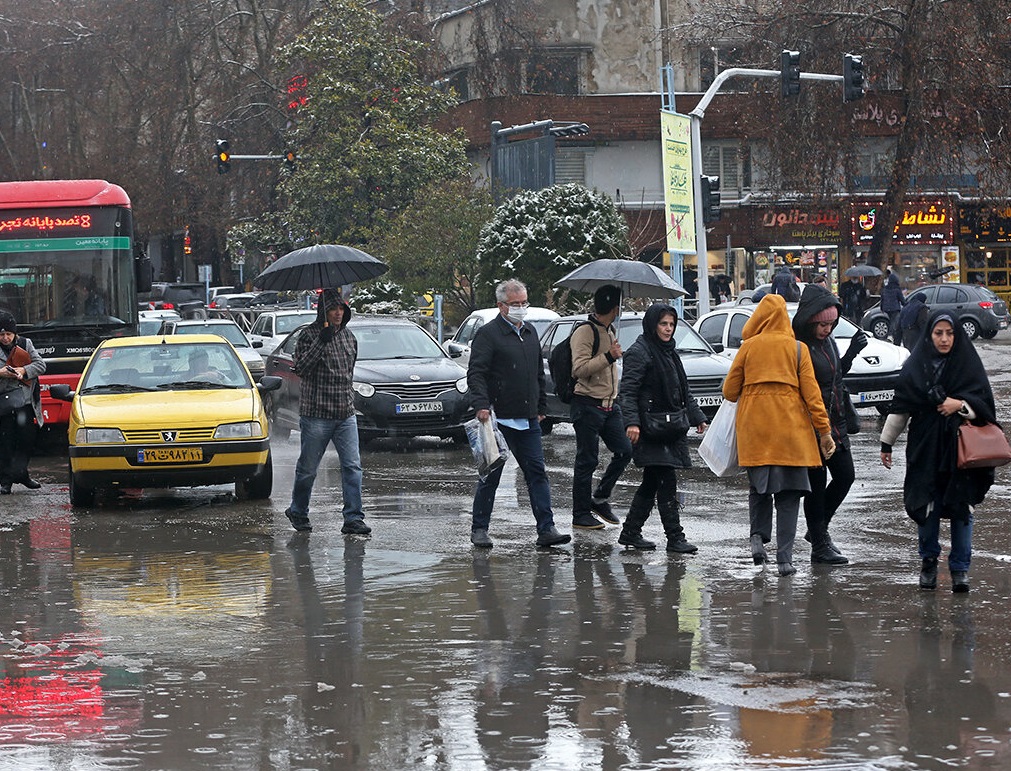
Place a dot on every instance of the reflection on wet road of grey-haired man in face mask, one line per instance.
(515, 700)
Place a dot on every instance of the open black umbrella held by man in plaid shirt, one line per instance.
(320, 267)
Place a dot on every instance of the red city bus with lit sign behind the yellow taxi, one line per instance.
(68, 273)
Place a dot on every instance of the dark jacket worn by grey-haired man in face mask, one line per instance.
(506, 371)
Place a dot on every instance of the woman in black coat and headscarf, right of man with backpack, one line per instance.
(654, 381)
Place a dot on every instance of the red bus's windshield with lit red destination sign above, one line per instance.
(67, 267)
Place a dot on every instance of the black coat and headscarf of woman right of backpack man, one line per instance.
(653, 387)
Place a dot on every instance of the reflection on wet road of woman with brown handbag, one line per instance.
(949, 707)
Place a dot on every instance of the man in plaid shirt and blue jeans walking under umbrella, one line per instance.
(325, 360)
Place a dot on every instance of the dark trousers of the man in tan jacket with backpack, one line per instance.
(592, 426)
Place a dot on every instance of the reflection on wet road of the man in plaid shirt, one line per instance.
(335, 710)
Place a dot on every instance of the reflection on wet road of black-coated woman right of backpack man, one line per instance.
(661, 642)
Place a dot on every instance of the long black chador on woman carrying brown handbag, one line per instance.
(928, 378)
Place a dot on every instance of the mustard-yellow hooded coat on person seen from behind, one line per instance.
(780, 410)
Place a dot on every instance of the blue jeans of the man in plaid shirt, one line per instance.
(317, 433)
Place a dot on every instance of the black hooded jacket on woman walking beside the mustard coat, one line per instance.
(830, 366)
